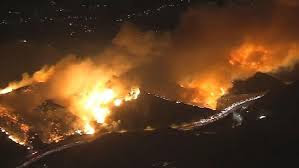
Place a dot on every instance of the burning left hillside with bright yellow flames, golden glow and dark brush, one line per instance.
(66, 99)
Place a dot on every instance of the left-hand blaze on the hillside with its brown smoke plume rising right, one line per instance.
(87, 87)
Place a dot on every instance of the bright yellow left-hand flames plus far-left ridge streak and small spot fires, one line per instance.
(93, 103)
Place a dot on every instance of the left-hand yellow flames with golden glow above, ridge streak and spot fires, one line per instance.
(86, 90)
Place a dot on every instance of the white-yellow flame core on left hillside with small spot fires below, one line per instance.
(94, 105)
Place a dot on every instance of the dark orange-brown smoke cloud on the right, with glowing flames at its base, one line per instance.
(214, 45)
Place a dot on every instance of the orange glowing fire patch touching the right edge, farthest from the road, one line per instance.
(259, 57)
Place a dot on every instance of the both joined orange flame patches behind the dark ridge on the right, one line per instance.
(243, 61)
